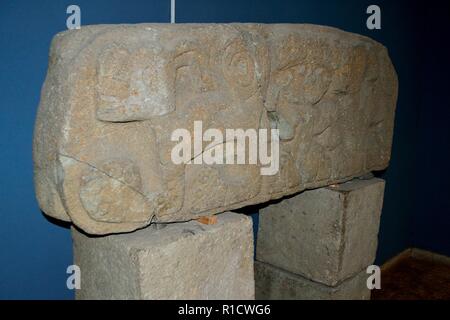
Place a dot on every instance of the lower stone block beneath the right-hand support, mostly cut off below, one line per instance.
(276, 284)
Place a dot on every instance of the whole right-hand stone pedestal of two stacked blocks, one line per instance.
(318, 244)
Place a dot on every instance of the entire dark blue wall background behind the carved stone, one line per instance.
(35, 253)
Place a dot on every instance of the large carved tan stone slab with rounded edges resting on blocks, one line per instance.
(115, 93)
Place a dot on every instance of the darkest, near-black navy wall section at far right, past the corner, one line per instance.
(430, 223)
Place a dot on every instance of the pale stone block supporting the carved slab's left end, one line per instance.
(180, 261)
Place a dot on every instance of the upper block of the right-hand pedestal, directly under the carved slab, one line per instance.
(327, 235)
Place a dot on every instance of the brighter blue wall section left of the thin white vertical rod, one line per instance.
(35, 253)
